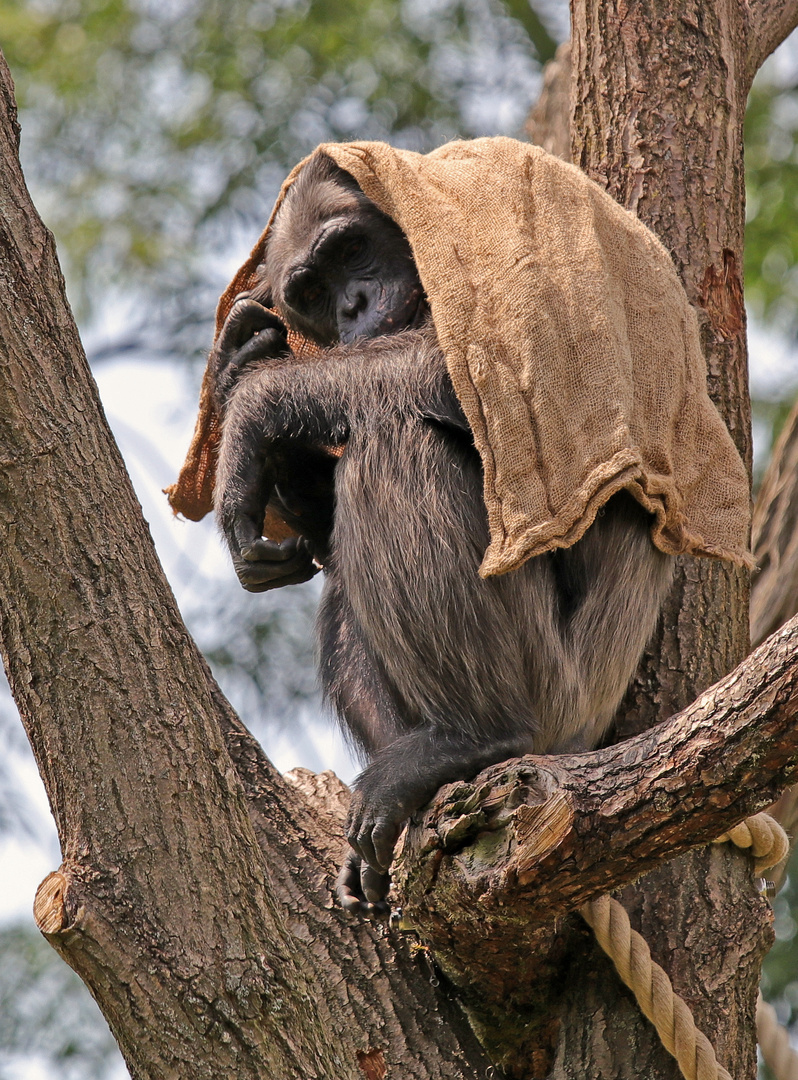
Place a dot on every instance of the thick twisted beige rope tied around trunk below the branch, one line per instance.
(651, 984)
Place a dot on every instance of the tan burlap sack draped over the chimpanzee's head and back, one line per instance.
(571, 343)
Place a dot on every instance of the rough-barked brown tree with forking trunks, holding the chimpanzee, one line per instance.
(194, 897)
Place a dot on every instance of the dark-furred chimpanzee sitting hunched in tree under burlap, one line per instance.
(364, 451)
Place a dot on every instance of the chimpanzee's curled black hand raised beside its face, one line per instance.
(250, 333)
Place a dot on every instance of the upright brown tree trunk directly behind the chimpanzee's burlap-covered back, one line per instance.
(659, 93)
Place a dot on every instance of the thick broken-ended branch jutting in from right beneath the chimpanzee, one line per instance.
(529, 842)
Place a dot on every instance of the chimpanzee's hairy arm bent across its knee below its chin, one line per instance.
(282, 408)
